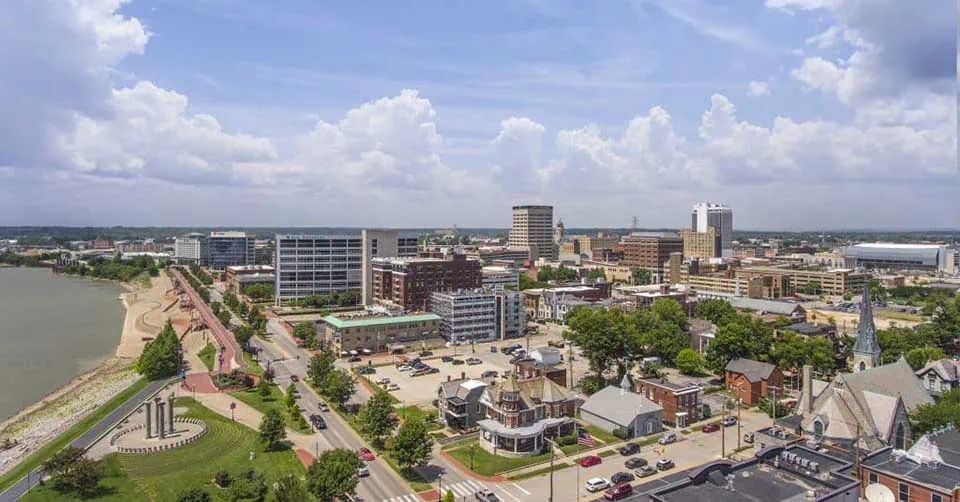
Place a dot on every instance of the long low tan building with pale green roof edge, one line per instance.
(382, 333)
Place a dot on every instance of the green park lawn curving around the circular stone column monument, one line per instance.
(162, 476)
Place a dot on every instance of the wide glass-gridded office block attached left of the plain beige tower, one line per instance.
(317, 265)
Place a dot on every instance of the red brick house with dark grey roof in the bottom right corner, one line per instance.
(928, 471)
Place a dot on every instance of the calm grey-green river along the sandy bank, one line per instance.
(52, 328)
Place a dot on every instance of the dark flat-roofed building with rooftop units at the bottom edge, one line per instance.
(778, 473)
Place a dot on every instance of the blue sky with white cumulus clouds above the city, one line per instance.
(799, 114)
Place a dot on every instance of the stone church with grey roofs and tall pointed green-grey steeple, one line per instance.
(867, 408)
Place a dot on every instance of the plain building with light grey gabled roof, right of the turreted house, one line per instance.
(620, 408)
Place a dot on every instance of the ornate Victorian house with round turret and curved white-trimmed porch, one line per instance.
(519, 415)
